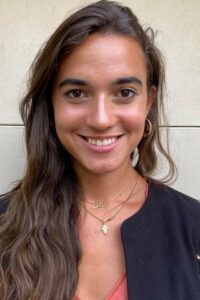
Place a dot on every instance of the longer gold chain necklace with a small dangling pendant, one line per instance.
(104, 226)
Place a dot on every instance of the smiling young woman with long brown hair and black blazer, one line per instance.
(85, 222)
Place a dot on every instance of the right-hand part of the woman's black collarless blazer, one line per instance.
(162, 247)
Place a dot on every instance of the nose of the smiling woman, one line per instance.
(101, 116)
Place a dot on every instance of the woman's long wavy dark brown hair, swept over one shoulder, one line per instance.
(39, 245)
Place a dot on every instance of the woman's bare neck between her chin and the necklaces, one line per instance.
(109, 187)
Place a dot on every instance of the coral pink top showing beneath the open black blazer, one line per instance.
(118, 292)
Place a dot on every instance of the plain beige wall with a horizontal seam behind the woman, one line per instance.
(26, 24)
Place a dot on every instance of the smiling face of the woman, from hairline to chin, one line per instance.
(100, 102)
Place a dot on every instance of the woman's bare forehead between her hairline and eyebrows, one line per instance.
(104, 57)
